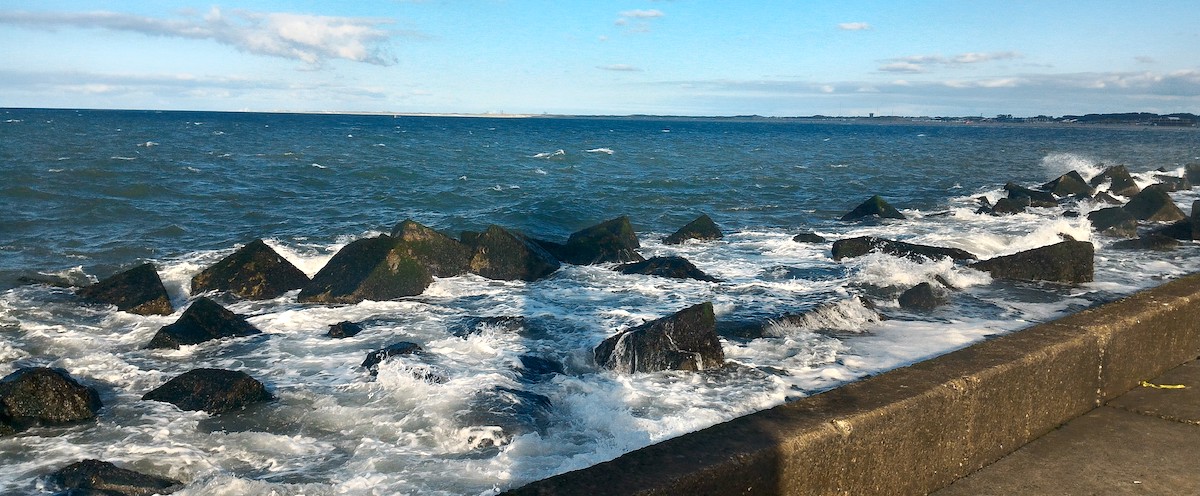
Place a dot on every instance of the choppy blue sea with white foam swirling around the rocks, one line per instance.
(87, 194)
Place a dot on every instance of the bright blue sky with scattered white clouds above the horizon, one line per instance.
(605, 57)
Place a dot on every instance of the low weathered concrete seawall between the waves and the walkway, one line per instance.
(920, 428)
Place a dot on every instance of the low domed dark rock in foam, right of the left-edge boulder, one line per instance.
(214, 391)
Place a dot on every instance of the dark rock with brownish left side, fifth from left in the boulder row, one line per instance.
(502, 255)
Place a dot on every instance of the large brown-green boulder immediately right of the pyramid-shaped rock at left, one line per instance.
(369, 270)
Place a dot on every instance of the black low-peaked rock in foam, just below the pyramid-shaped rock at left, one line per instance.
(203, 321)
